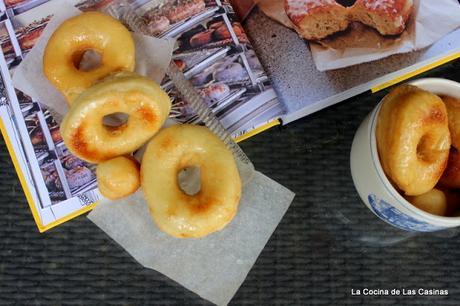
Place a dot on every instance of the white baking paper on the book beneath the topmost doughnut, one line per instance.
(152, 58)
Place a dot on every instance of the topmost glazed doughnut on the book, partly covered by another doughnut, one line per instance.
(88, 31)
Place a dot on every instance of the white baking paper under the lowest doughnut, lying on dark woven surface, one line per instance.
(213, 267)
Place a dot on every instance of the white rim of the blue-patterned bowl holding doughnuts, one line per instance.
(422, 83)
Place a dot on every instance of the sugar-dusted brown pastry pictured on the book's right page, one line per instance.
(317, 19)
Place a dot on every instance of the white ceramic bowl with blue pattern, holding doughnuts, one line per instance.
(373, 186)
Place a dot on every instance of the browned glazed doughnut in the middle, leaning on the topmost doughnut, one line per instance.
(84, 132)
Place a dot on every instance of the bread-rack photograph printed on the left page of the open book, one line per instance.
(212, 50)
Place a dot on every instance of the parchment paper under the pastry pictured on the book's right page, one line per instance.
(430, 21)
